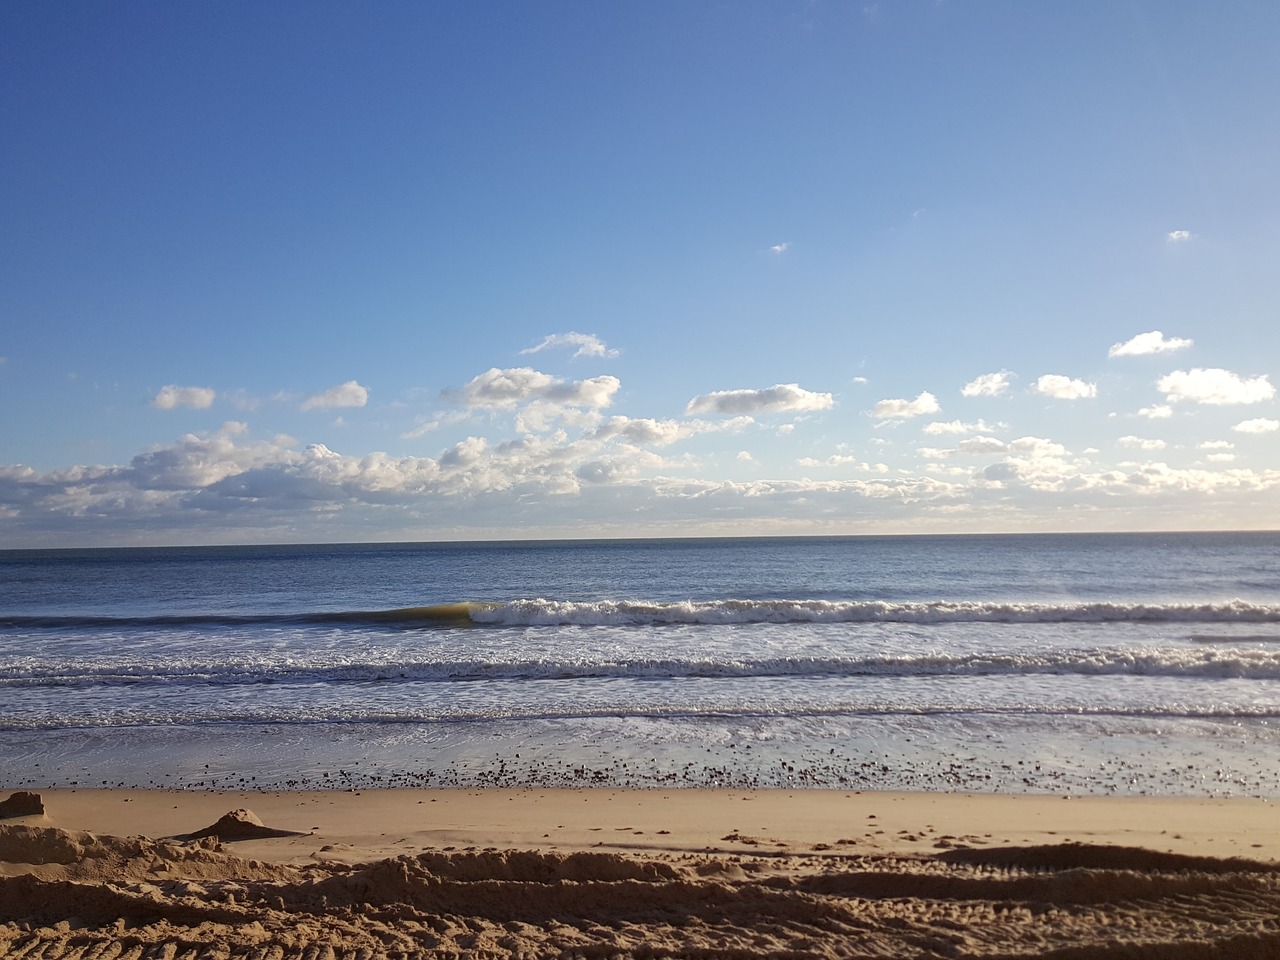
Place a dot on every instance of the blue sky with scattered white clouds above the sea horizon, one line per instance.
(318, 272)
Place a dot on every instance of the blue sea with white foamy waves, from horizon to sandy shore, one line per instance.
(1117, 665)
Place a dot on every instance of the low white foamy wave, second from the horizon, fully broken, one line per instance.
(1191, 664)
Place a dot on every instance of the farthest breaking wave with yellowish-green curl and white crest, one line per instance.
(543, 612)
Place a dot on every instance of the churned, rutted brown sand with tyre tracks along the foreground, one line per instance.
(99, 897)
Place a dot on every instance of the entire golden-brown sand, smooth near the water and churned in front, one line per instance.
(104, 875)
